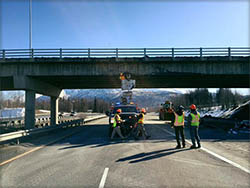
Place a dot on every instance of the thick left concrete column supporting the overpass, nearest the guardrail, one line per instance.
(30, 98)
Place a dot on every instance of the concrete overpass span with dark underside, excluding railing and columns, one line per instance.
(82, 73)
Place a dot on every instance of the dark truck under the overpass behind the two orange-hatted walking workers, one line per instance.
(129, 115)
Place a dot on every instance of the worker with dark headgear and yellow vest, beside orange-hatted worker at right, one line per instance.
(178, 125)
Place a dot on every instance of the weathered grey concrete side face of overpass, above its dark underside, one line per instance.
(111, 67)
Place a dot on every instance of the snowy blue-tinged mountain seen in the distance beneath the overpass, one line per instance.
(143, 97)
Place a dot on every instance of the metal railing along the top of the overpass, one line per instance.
(124, 52)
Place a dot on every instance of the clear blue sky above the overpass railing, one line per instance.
(125, 23)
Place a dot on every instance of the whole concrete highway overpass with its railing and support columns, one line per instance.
(48, 71)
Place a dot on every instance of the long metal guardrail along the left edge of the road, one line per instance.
(19, 134)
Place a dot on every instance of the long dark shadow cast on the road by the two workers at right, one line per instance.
(150, 155)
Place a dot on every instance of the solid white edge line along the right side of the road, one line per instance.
(214, 154)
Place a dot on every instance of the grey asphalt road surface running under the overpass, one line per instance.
(81, 160)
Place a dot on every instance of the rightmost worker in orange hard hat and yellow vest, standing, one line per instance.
(194, 122)
